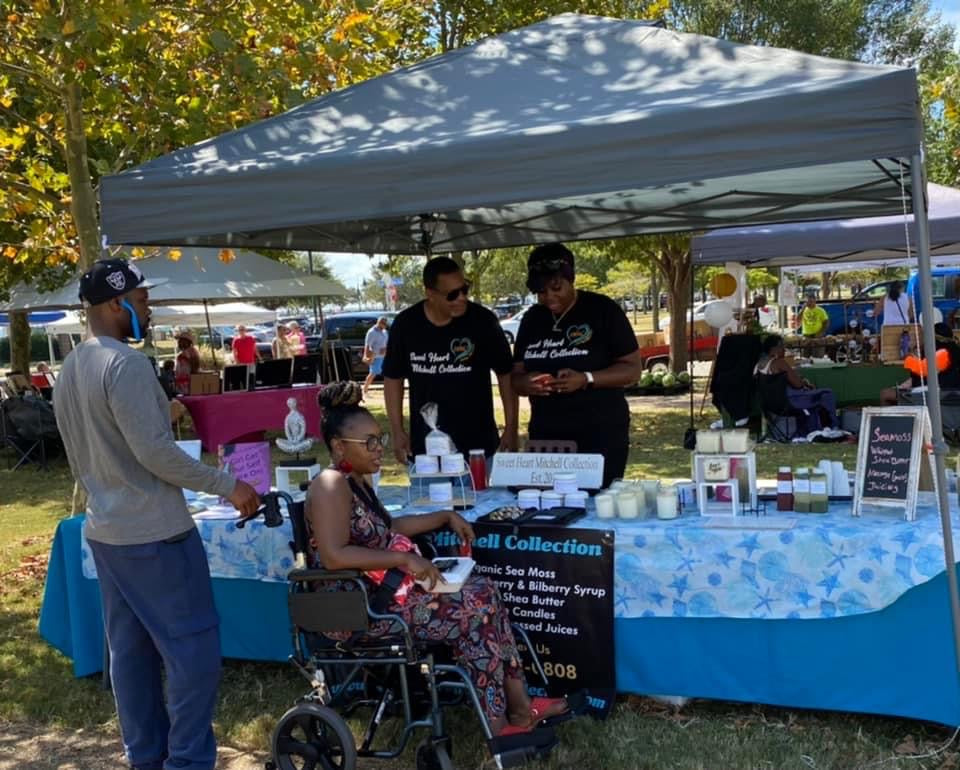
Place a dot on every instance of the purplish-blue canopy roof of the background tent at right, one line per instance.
(824, 243)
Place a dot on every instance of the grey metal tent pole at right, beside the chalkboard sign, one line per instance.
(917, 182)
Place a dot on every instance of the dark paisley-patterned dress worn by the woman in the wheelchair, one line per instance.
(472, 621)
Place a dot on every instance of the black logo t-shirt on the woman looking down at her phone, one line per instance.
(591, 336)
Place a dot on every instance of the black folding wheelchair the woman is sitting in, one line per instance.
(394, 675)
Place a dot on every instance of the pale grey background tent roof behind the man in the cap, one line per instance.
(199, 275)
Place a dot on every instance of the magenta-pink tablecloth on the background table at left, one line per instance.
(226, 417)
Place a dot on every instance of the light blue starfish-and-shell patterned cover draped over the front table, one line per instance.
(792, 567)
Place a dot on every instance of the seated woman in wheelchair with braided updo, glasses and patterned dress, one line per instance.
(350, 529)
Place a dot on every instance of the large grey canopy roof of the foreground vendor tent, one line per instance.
(578, 127)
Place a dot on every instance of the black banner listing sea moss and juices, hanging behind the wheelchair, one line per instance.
(558, 584)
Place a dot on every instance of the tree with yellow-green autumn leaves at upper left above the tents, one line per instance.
(93, 87)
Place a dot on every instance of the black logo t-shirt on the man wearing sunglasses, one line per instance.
(450, 365)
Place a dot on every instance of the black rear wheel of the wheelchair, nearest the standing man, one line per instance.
(311, 736)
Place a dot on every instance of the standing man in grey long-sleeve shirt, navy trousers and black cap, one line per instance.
(154, 580)
